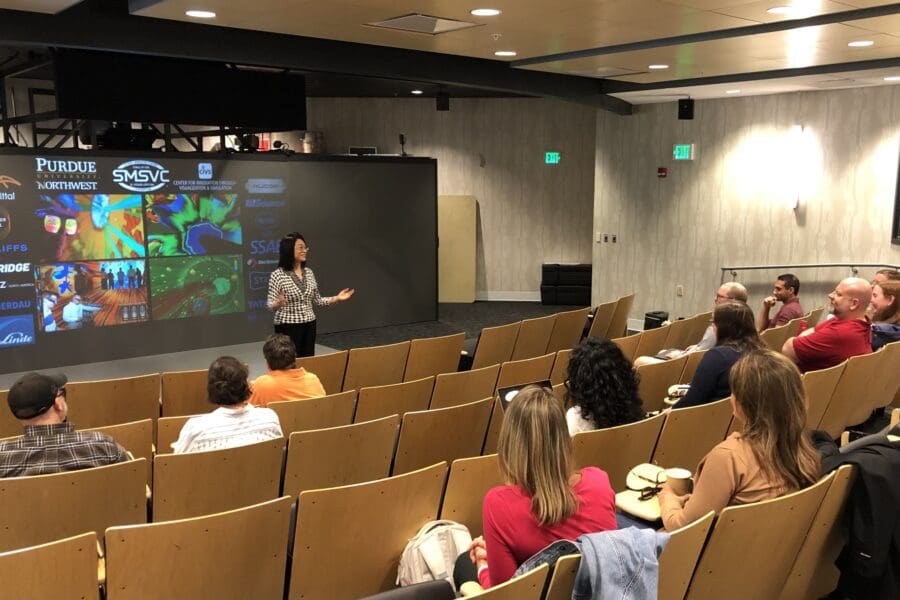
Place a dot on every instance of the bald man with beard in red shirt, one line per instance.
(832, 341)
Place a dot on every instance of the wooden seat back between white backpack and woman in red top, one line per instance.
(470, 479)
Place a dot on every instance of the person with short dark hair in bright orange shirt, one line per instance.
(284, 381)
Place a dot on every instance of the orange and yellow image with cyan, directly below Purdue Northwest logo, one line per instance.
(91, 226)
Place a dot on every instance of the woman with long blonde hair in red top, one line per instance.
(546, 499)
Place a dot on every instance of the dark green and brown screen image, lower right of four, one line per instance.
(195, 286)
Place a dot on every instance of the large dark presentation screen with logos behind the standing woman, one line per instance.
(109, 255)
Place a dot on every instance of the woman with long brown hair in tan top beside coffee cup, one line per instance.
(771, 457)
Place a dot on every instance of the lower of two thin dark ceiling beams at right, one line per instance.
(617, 87)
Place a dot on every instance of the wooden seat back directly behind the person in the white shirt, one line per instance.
(202, 483)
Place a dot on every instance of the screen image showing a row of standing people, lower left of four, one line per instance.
(91, 294)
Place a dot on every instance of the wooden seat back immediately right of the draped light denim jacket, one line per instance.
(679, 558)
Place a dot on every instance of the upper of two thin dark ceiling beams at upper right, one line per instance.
(719, 34)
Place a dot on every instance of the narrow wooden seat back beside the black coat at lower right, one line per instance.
(814, 574)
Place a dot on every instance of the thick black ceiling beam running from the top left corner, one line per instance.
(106, 26)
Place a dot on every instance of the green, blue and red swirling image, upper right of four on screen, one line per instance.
(192, 224)
